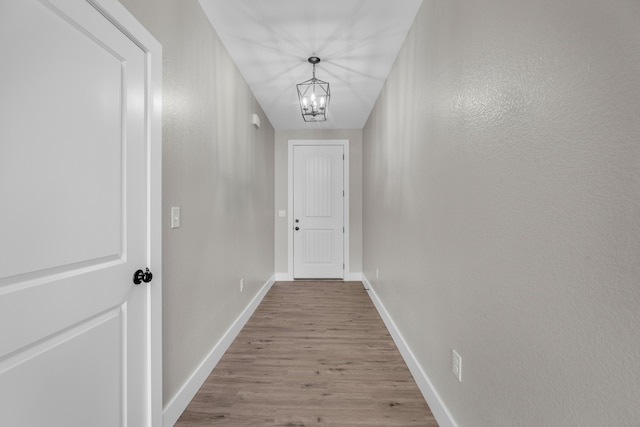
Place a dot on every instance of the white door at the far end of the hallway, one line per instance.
(318, 211)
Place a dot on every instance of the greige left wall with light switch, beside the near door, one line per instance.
(219, 169)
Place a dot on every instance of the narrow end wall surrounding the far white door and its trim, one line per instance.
(282, 138)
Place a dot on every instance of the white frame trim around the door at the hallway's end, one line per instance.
(318, 142)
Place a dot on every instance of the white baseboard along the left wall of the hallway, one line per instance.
(179, 403)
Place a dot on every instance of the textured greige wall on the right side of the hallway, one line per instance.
(502, 207)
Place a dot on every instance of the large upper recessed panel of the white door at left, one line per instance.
(56, 91)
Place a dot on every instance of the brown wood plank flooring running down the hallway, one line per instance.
(314, 353)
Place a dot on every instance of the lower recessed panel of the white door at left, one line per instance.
(75, 376)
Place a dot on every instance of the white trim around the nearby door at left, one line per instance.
(115, 12)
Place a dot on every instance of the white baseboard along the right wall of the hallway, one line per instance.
(437, 406)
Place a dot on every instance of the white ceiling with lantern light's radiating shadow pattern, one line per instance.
(356, 40)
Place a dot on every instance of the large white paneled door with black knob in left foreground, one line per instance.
(73, 186)
